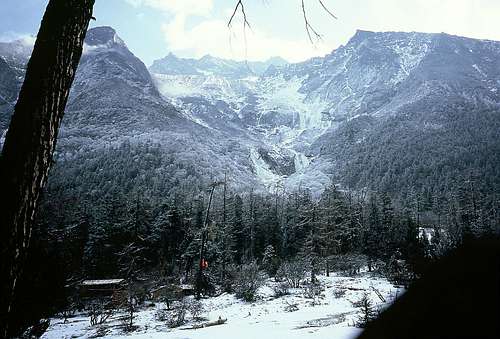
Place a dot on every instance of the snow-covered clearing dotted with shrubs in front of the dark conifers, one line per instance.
(326, 316)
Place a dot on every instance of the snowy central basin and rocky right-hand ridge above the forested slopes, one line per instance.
(295, 109)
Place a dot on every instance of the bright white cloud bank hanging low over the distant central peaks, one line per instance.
(212, 36)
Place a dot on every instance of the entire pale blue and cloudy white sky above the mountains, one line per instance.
(194, 28)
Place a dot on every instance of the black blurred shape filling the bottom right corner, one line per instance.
(458, 297)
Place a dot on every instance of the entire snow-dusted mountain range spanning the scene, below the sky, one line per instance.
(344, 116)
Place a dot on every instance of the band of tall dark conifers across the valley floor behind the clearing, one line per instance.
(136, 237)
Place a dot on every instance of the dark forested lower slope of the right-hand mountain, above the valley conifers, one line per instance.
(430, 150)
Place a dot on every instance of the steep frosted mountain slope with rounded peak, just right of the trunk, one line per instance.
(117, 123)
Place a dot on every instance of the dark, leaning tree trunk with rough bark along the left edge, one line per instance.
(31, 138)
